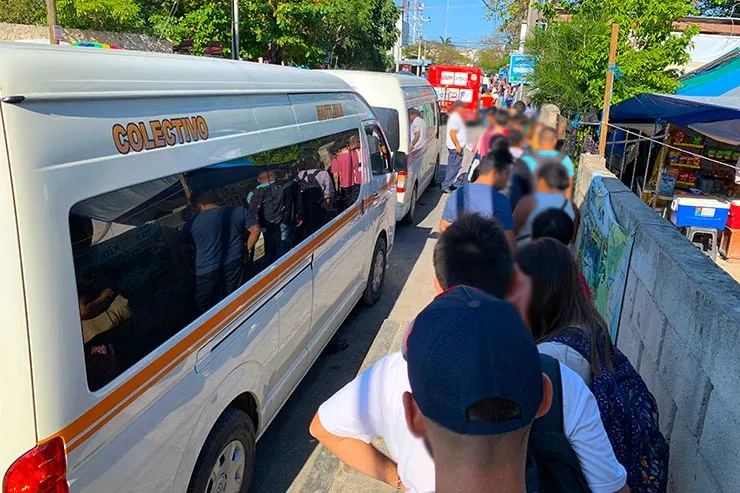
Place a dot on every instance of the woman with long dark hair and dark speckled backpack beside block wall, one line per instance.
(567, 327)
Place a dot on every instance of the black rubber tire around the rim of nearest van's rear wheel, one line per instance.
(234, 425)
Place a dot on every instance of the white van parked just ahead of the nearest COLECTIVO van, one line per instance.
(393, 96)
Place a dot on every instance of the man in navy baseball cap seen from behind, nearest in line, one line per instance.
(476, 388)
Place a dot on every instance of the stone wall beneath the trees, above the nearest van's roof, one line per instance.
(128, 41)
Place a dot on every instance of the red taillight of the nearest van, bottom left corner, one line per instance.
(43, 469)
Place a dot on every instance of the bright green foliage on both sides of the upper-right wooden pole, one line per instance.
(572, 56)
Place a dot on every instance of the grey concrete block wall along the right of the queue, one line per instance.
(680, 327)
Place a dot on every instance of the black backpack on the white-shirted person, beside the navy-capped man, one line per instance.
(552, 464)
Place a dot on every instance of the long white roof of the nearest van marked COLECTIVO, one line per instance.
(55, 72)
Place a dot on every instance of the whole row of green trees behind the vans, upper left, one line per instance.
(349, 33)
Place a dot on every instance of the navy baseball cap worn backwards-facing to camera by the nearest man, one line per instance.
(464, 347)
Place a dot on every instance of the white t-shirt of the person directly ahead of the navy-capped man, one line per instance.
(371, 406)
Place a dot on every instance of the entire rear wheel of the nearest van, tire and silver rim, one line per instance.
(226, 461)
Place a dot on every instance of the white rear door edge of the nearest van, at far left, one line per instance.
(17, 416)
